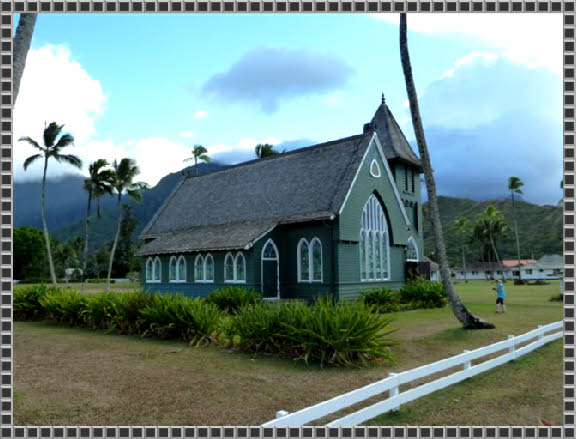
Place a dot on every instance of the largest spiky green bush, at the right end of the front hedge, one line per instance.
(334, 334)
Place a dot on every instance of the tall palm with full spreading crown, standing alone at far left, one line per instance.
(54, 143)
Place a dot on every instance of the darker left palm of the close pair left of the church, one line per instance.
(98, 184)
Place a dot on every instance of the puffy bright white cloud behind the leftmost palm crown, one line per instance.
(54, 88)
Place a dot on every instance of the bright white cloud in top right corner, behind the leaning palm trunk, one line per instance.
(531, 39)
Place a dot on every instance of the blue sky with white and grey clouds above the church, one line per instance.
(150, 86)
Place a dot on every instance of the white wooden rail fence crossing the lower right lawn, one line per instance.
(395, 380)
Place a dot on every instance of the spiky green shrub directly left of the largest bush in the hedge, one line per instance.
(173, 316)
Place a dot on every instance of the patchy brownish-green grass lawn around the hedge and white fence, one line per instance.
(67, 376)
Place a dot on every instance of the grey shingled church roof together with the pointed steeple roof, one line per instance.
(233, 207)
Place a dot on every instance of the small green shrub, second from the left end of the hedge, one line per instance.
(64, 306)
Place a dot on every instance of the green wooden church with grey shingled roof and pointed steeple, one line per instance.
(330, 219)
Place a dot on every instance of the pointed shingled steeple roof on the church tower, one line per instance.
(392, 138)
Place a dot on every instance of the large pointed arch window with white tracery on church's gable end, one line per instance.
(373, 242)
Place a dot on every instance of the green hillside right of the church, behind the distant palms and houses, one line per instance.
(540, 228)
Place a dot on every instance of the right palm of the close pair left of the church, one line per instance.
(123, 175)
